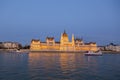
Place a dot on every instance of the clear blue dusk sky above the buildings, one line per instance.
(92, 20)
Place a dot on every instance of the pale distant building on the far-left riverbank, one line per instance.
(11, 45)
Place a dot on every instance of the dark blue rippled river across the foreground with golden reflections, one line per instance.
(59, 66)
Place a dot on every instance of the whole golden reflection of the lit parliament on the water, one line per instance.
(65, 62)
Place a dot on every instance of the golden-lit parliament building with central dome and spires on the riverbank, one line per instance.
(63, 45)
